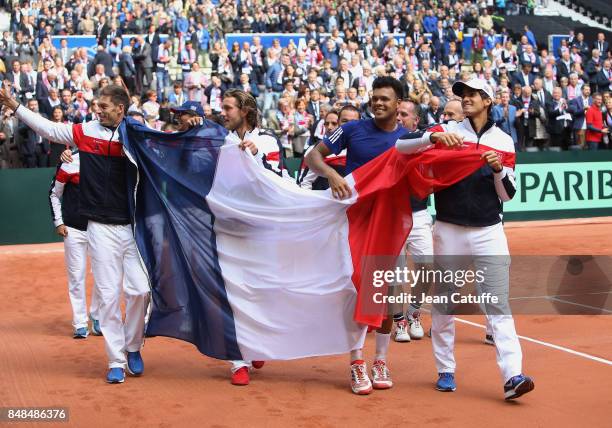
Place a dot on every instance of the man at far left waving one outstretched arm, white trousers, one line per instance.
(104, 204)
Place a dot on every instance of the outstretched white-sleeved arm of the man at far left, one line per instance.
(56, 132)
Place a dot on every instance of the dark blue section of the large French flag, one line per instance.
(175, 235)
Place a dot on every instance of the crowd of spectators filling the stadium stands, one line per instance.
(544, 100)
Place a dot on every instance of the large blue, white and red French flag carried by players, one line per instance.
(246, 265)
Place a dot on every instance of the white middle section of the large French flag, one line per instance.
(286, 262)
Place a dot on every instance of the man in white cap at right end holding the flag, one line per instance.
(469, 223)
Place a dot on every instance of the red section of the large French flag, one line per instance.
(381, 218)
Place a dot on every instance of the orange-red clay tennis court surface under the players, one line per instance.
(41, 365)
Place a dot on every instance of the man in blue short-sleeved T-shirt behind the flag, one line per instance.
(364, 140)
